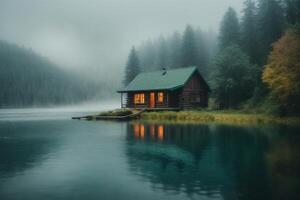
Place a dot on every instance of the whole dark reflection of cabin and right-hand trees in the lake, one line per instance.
(231, 162)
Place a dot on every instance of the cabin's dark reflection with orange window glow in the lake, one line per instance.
(175, 158)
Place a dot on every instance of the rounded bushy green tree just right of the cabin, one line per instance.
(232, 82)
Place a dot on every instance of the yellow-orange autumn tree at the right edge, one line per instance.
(282, 73)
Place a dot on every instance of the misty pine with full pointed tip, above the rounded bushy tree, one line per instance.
(229, 30)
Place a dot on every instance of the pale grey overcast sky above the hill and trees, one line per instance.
(98, 34)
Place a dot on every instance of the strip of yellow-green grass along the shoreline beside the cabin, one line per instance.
(228, 117)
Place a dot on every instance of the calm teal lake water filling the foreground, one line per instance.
(43, 156)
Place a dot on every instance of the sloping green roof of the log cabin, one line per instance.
(157, 80)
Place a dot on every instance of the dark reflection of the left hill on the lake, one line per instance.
(25, 145)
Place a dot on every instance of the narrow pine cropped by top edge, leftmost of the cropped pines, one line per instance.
(249, 31)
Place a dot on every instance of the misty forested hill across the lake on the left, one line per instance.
(28, 79)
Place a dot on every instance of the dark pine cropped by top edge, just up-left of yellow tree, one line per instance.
(270, 25)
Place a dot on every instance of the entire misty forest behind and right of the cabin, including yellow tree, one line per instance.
(240, 63)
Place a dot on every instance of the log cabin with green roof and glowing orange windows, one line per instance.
(177, 88)
